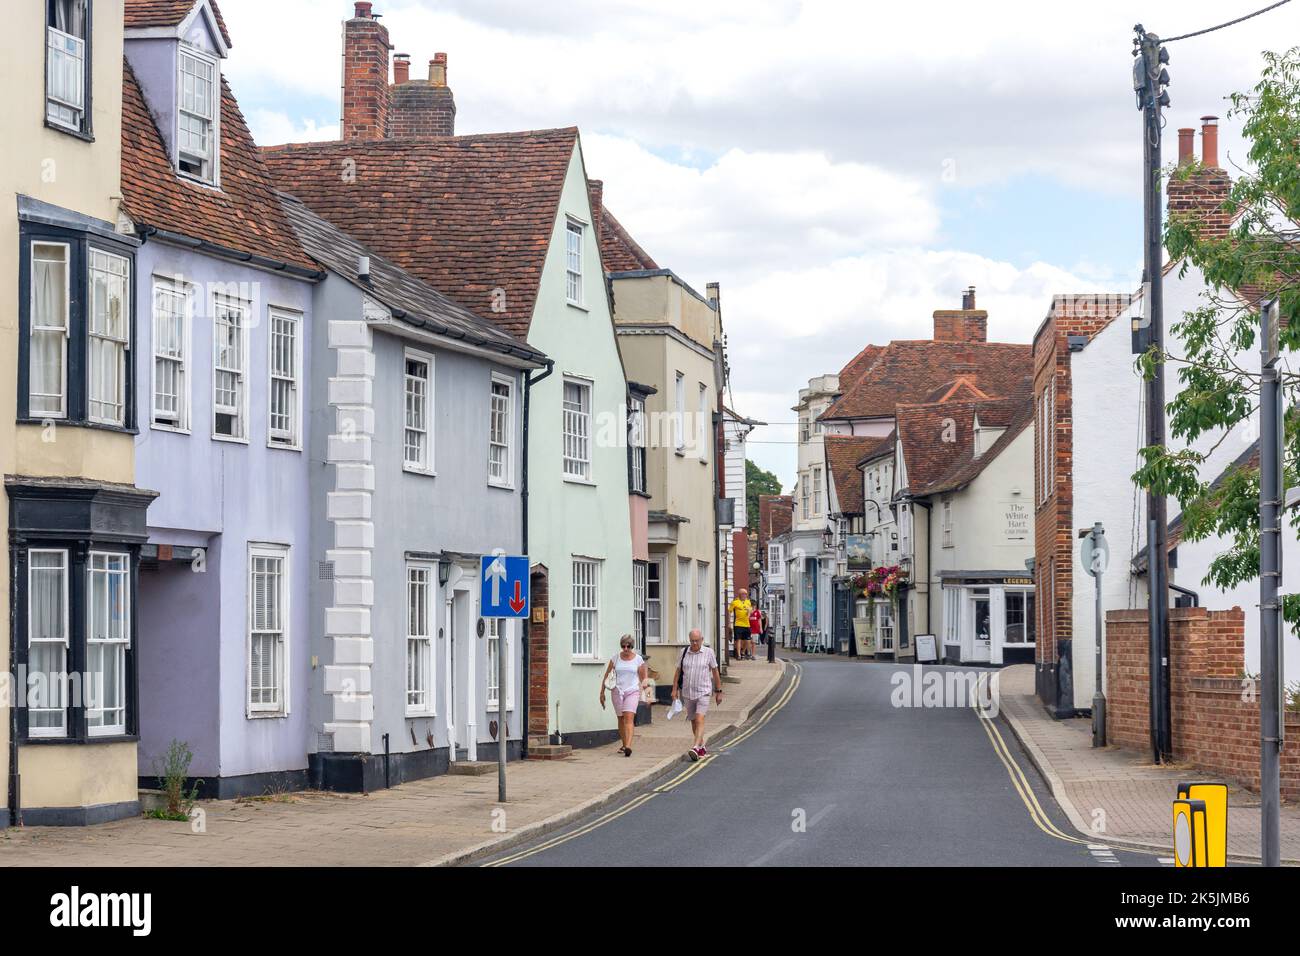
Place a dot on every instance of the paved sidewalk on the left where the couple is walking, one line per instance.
(439, 821)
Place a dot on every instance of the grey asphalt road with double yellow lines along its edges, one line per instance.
(839, 776)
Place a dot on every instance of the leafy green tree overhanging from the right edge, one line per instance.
(1214, 348)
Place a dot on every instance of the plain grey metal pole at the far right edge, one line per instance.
(1272, 689)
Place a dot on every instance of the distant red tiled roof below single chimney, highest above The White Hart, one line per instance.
(909, 373)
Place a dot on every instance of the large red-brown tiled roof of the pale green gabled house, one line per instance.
(469, 215)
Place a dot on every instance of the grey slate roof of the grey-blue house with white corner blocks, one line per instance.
(411, 301)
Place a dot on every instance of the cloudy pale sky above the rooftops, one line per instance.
(840, 168)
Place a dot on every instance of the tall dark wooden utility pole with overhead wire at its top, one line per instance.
(1150, 83)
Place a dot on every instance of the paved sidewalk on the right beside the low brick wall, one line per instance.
(1121, 790)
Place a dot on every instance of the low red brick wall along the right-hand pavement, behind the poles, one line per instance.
(1214, 728)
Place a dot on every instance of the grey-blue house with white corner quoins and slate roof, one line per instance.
(419, 418)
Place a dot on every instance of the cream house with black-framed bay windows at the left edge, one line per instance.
(76, 521)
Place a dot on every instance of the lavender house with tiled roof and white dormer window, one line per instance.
(226, 325)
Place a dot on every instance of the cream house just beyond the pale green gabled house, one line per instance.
(670, 338)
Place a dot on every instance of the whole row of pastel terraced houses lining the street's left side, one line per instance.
(266, 409)
